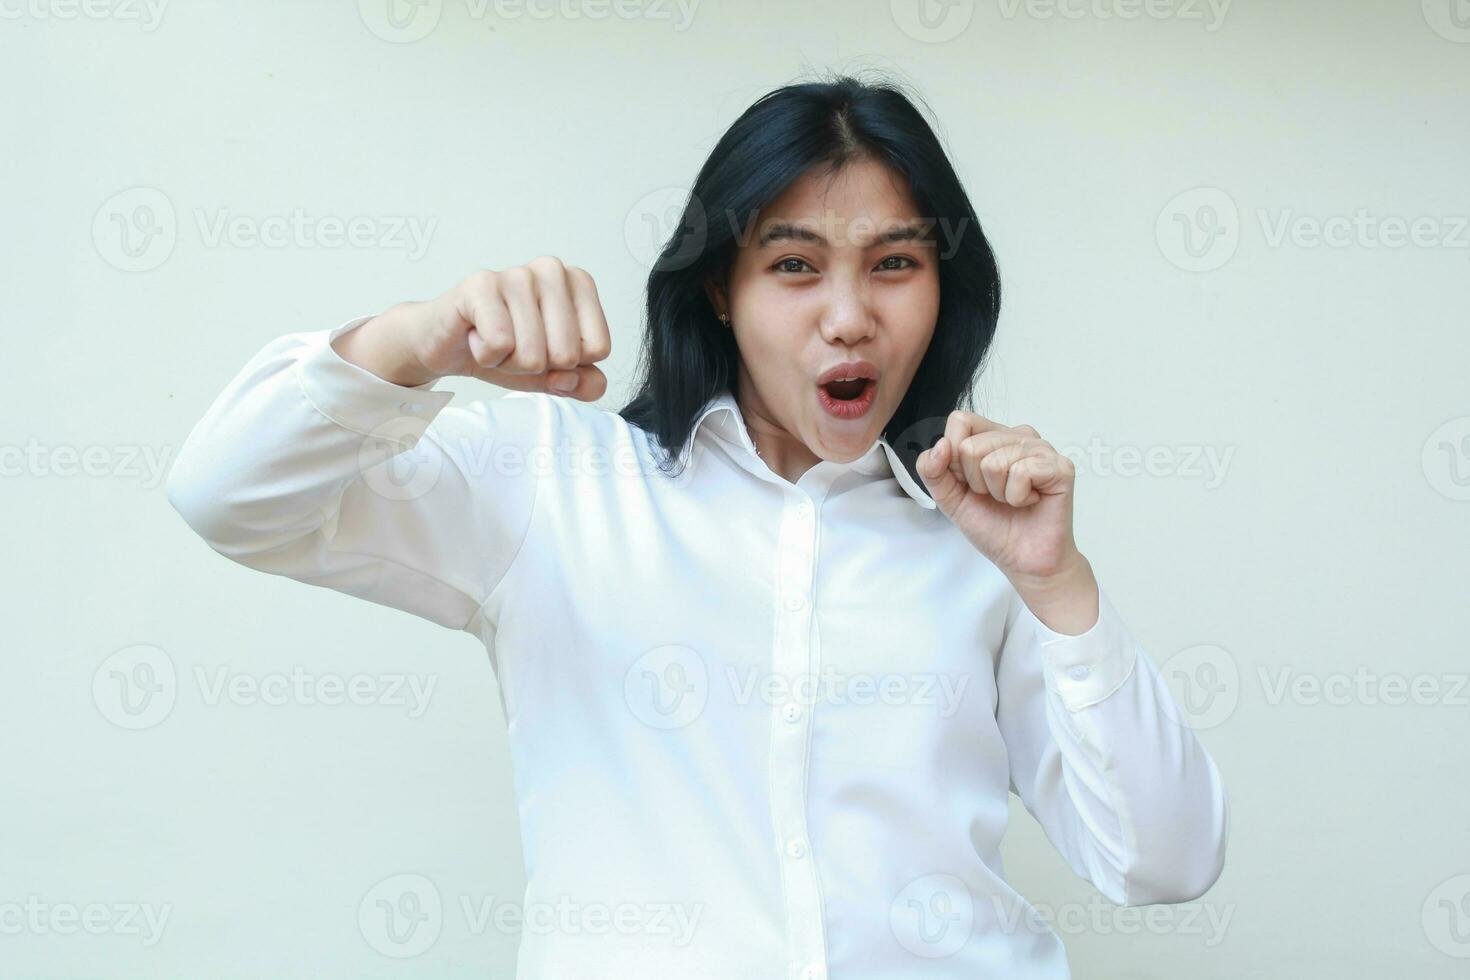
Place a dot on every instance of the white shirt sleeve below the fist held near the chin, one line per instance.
(1103, 757)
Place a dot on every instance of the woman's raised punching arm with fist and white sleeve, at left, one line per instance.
(330, 458)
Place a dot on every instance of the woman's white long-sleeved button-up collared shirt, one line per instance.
(759, 729)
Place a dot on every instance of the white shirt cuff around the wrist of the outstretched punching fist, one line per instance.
(356, 399)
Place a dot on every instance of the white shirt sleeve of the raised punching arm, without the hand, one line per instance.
(312, 468)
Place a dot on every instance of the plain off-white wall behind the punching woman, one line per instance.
(1236, 265)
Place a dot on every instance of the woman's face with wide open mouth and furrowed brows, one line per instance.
(828, 277)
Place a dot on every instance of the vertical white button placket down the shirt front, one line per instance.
(792, 662)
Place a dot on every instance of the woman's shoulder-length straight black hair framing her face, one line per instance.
(689, 356)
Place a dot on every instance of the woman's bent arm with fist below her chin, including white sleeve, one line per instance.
(1100, 752)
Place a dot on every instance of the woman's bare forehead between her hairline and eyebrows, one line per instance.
(850, 206)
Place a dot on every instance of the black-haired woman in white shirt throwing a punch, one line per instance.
(771, 671)
